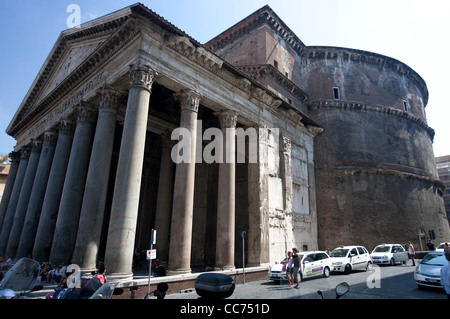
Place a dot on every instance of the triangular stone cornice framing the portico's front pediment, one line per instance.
(127, 29)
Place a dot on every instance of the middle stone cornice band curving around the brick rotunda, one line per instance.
(354, 106)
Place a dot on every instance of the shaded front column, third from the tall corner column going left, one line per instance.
(72, 196)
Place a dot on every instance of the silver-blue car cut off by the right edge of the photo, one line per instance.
(428, 271)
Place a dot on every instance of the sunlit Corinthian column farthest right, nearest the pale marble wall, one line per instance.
(226, 193)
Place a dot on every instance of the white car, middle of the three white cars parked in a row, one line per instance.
(348, 258)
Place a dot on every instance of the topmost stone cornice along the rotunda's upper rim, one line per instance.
(313, 53)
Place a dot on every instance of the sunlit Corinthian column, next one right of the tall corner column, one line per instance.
(183, 197)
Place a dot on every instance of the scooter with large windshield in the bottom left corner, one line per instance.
(20, 280)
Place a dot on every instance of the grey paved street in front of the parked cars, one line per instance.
(385, 282)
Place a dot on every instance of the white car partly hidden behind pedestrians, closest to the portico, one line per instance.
(313, 263)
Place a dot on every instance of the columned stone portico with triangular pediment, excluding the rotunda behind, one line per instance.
(96, 170)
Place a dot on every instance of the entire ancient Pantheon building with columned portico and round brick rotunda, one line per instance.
(333, 148)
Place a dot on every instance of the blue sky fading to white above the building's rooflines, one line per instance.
(414, 32)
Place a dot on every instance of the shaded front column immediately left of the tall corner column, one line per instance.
(93, 207)
